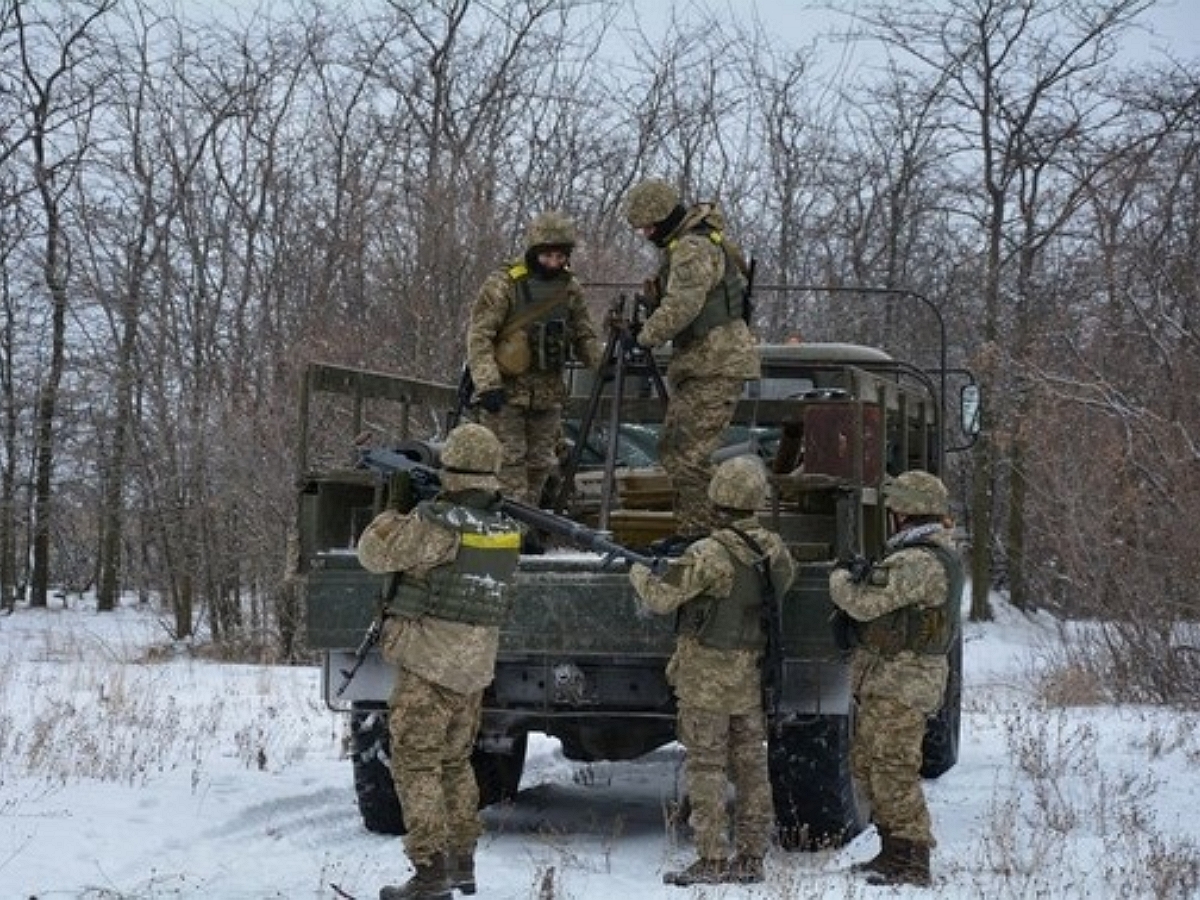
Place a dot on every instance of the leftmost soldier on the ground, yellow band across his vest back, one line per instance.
(454, 557)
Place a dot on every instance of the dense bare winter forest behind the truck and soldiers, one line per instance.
(195, 206)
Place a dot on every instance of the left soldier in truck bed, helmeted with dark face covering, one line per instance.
(529, 320)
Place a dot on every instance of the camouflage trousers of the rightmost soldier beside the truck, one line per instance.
(886, 760)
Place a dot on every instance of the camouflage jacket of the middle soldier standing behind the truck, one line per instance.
(704, 677)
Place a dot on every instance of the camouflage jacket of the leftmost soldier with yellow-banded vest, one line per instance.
(454, 655)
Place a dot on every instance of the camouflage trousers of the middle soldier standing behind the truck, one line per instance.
(724, 749)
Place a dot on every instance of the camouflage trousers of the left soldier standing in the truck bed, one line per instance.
(530, 440)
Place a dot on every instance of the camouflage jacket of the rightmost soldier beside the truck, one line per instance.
(910, 577)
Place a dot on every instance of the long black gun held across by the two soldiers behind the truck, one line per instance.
(427, 483)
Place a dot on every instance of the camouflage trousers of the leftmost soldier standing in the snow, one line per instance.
(433, 736)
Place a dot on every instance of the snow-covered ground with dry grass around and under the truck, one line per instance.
(130, 770)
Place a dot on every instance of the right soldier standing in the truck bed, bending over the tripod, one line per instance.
(699, 301)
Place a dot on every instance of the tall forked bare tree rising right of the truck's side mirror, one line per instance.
(1015, 70)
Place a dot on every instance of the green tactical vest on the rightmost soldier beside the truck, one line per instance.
(926, 632)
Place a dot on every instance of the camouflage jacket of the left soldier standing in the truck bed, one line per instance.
(497, 303)
